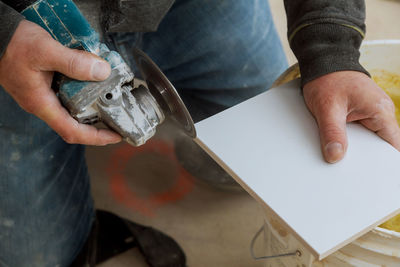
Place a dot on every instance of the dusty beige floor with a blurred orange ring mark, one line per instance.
(149, 186)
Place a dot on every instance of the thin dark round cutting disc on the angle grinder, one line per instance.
(164, 92)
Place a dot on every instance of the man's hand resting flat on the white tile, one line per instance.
(346, 96)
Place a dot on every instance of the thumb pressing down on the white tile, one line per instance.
(332, 130)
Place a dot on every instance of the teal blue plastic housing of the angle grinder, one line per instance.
(66, 24)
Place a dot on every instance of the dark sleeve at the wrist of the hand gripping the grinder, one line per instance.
(9, 20)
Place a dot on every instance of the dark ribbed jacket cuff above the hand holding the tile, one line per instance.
(333, 47)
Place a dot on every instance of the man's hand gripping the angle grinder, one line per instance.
(26, 73)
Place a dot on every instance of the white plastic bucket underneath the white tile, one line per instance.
(379, 247)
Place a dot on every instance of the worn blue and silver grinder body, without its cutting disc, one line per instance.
(123, 113)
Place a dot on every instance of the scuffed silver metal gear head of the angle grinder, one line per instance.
(132, 112)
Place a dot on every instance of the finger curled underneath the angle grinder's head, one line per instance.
(50, 111)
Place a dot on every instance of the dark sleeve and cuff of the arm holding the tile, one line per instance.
(325, 35)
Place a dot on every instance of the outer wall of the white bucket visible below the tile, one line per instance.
(379, 247)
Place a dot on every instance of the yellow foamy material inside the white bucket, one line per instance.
(390, 83)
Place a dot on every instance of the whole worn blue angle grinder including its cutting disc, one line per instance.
(132, 111)
